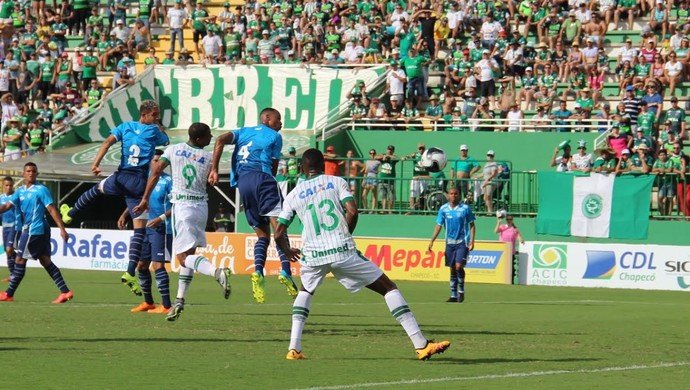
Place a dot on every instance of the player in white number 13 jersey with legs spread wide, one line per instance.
(328, 213)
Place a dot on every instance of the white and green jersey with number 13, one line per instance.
(319, 204)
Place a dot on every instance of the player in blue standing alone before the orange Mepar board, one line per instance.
(458, 220)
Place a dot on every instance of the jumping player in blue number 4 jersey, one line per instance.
(254, 166)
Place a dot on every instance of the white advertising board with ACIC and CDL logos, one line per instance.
(650, 267)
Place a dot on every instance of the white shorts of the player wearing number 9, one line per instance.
(190, 226)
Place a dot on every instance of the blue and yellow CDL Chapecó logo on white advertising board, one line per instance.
(636, 267)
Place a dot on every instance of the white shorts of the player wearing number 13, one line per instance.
(353, 273)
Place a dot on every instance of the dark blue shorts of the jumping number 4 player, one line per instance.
(261, 197)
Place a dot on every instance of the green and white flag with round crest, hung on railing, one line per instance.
(595, 205)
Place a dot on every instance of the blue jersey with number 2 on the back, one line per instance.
(139, 143)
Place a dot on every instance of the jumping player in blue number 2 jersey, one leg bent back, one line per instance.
(139, 141)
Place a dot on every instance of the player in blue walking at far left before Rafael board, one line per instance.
(32, 201)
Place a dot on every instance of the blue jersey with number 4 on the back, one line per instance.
(255, 149)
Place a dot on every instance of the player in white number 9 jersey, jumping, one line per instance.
(190, 166)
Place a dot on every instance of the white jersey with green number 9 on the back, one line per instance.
(190, 167)
